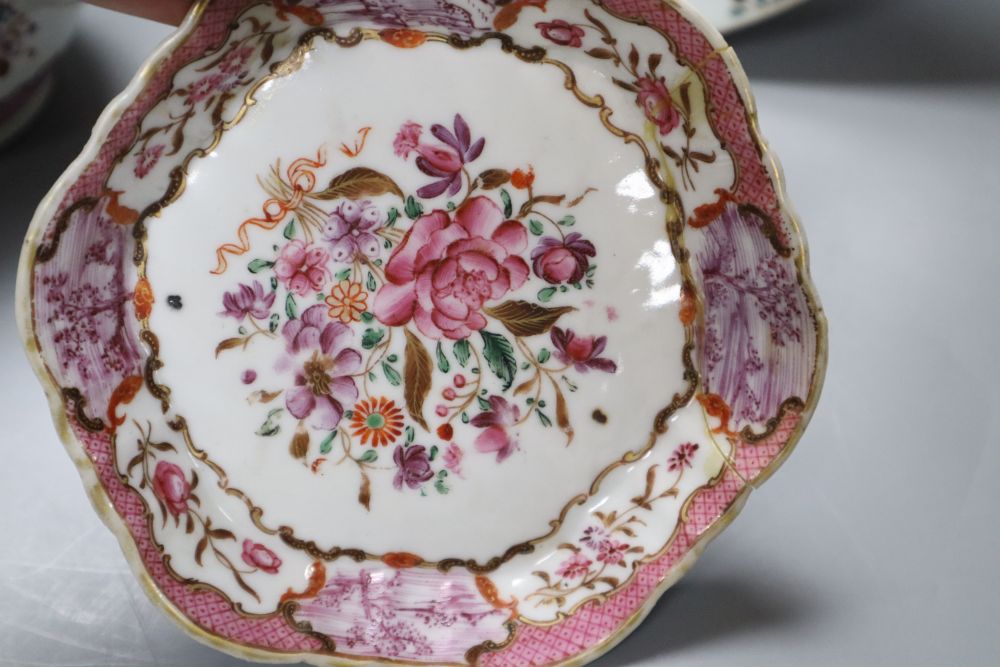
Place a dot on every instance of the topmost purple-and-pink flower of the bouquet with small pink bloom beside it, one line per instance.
(445, 162)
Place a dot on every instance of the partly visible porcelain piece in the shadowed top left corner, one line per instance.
(32, 34)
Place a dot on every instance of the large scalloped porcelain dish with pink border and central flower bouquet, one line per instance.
(423, 331)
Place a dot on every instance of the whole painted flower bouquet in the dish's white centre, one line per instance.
(442, 279)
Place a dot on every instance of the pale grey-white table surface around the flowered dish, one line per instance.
(878, 543)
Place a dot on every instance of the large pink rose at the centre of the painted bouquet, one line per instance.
(445, 270)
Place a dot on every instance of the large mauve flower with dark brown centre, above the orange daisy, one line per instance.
(324, 382)
